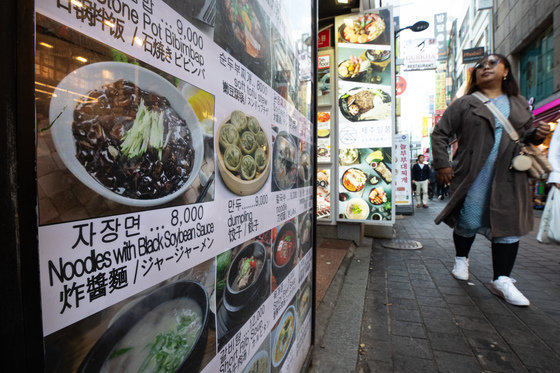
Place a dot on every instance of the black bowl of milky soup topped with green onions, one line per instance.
(177, 310)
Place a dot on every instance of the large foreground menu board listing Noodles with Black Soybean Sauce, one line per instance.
(175, 184)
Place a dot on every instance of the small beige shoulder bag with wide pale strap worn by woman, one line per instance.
(530, 158)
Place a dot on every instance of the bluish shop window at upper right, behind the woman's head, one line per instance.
(537, 67)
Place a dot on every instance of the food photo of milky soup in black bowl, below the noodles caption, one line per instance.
(130, 335)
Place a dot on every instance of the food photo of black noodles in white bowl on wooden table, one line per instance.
(116, 135)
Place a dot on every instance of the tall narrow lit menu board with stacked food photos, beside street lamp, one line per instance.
(365, 108)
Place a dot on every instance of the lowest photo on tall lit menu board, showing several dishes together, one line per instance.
(365, 187)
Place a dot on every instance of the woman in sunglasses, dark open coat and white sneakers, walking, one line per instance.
(487, 196)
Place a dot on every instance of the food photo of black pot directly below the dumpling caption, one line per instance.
(242, 284)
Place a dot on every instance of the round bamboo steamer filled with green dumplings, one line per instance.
(243, 153)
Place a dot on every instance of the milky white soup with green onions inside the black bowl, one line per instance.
(160, 341)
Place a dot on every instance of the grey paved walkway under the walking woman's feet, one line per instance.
(416, 317)
